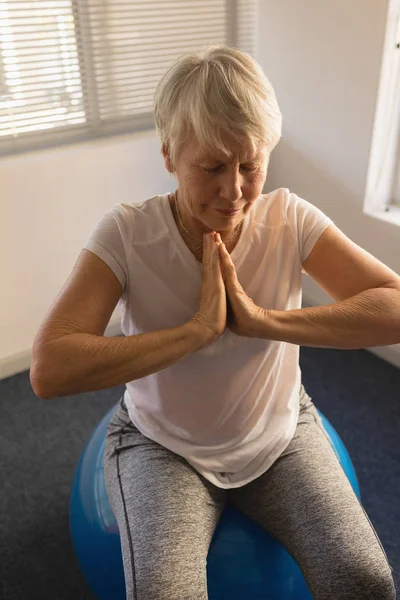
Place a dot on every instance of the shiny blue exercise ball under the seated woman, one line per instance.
(244, 561)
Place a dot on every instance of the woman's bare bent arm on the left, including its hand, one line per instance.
(71, 355)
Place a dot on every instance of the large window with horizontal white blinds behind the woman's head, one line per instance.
(79, 69)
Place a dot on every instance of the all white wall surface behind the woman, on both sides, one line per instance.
(323, 60)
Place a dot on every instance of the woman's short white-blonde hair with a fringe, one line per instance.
(215, 91)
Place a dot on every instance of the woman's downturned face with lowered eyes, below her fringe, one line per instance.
(210, 182)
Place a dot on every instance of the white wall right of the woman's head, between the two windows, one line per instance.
(324, 60)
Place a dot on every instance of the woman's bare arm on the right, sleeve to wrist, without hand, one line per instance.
(366, 311)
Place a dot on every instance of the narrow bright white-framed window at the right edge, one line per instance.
(383, 185)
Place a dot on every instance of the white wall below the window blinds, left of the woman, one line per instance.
(50, 201)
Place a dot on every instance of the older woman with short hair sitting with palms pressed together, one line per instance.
(209, 279)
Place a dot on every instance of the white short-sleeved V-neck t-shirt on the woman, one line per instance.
(231, 408)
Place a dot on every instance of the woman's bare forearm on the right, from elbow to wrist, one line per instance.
(371, 318)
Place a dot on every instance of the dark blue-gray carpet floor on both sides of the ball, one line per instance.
(41, 441)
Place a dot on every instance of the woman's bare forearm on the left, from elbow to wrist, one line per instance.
(81, 362)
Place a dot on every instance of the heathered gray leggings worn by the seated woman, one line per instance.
(167, 514)
